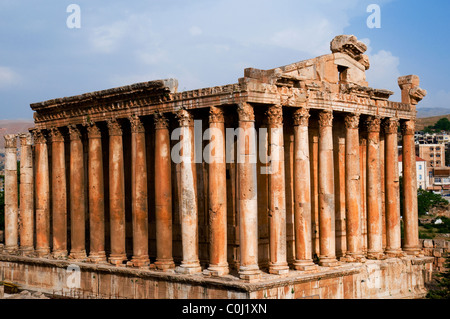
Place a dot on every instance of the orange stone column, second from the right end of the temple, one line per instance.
(393, 236)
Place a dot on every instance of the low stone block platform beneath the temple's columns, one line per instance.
(375, 279)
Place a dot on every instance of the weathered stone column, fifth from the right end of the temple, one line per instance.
(327, 256)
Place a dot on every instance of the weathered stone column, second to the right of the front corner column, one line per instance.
(302, 193)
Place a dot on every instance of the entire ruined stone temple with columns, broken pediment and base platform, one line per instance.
(302, 202)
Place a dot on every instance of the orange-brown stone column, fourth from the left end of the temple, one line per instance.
(59, 195)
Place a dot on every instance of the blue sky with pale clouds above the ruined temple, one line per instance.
(207, 43)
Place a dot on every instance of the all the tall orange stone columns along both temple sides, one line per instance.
(246, 195)
